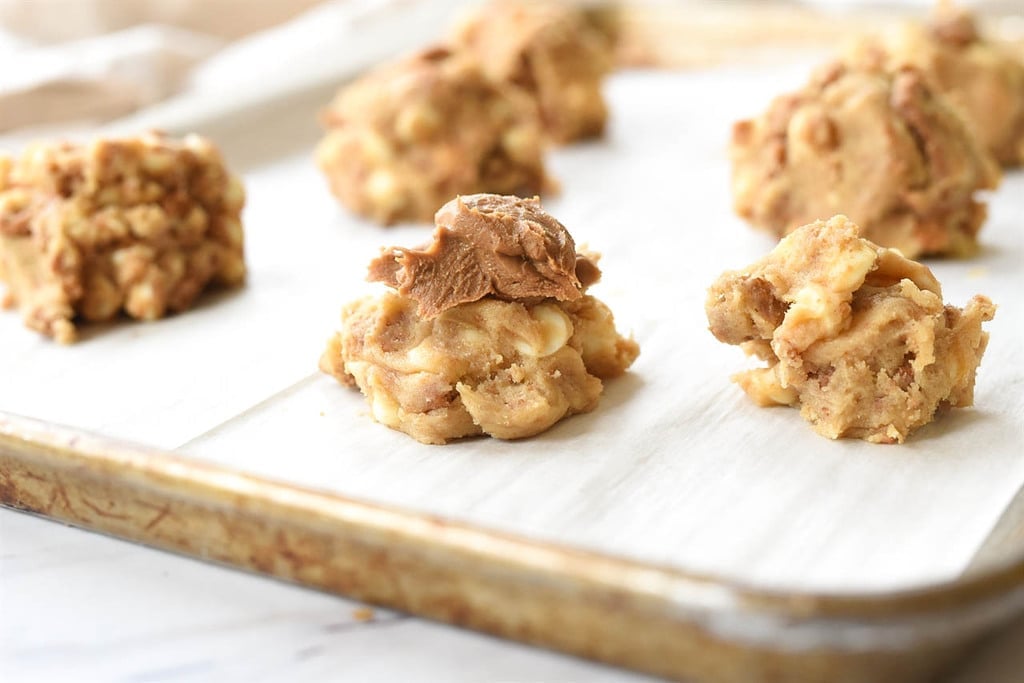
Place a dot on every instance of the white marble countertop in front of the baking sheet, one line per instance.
(81, 607)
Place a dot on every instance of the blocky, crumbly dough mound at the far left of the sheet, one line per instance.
(141, 226)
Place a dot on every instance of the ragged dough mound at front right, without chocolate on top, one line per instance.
(856, 335)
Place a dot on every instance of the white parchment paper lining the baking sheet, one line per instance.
(676, 466)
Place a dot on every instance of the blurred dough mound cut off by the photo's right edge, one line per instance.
(983, 79)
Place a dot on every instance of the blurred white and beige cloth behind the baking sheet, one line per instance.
(90, 62)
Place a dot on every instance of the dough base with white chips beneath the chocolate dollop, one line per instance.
(490, 367)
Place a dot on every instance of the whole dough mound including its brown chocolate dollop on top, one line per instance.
(446, 357)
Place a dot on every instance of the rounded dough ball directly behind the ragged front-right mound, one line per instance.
(881, 148)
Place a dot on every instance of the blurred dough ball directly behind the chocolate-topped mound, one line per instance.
(407, 138)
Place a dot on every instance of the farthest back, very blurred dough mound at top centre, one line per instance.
(552, 53)
